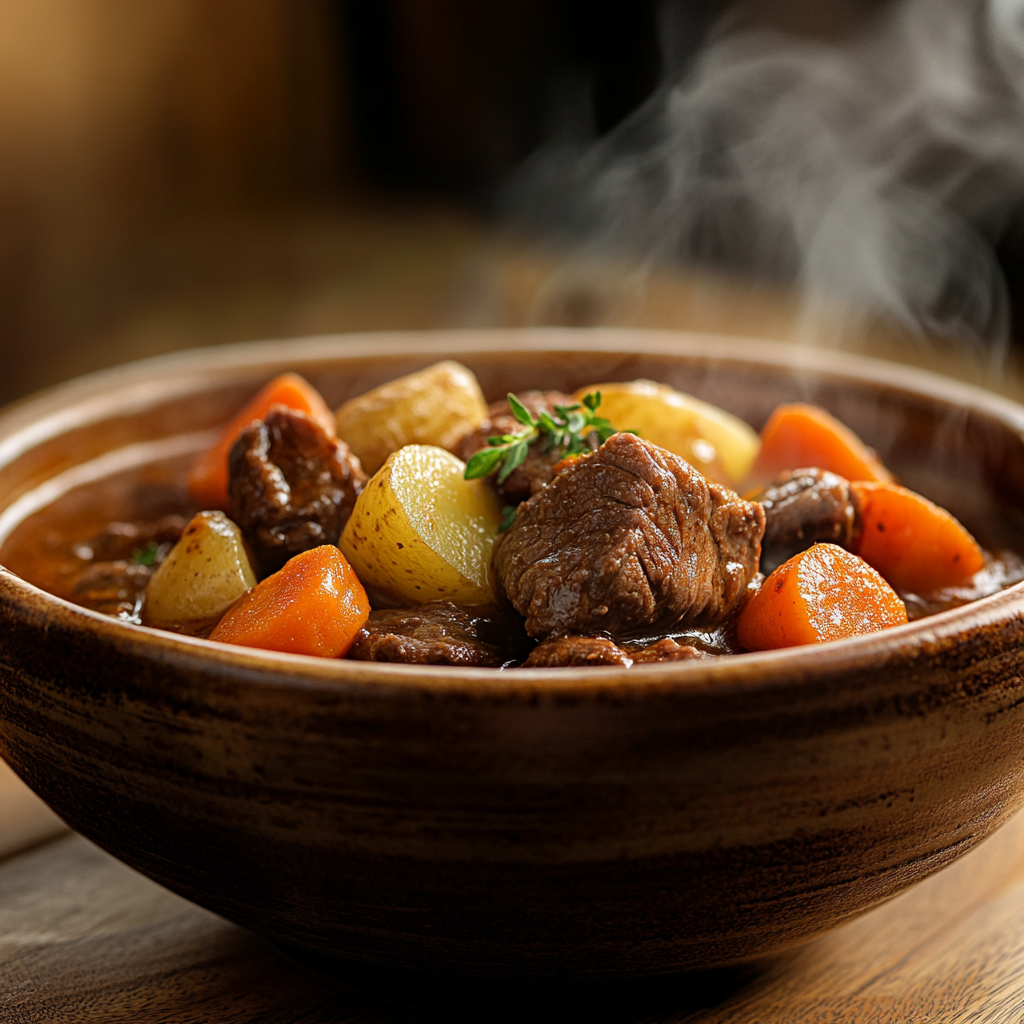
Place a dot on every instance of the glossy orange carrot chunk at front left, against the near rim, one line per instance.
(315, 606)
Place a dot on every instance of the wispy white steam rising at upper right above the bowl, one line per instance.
(873, 176)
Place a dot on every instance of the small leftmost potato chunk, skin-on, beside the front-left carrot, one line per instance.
(204, 574)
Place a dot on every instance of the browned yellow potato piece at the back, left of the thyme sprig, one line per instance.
(437, 406)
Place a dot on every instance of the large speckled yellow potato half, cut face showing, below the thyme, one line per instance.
(421, 533)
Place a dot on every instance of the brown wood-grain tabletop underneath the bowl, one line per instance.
(84, 941)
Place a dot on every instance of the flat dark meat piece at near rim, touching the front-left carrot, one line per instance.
(441, 633)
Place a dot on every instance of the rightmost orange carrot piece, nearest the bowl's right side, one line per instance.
(917, 546)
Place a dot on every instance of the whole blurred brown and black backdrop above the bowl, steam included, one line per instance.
(179, 174)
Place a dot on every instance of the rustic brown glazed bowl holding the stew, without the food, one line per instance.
(532, 824)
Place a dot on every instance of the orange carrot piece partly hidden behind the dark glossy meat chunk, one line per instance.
(208, 477)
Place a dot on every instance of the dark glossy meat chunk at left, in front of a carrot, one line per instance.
(292, 487)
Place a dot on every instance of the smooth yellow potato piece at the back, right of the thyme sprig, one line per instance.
(715, 442)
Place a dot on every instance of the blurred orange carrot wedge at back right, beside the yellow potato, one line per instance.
(798, 437)
